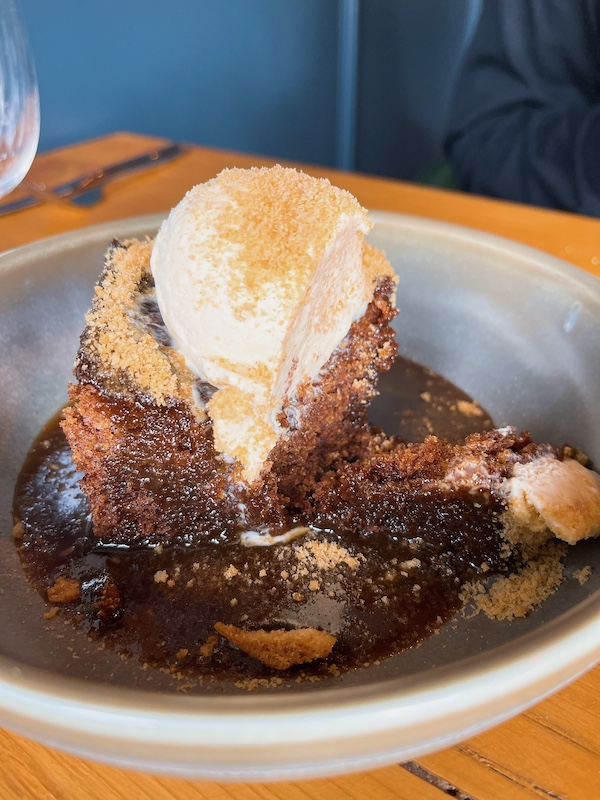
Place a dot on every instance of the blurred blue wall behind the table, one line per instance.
(358, 84)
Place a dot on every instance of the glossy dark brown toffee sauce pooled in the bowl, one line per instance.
(378, 594)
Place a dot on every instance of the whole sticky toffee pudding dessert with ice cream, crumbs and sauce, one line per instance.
(215, 500)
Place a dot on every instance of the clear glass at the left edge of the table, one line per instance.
(19, 100)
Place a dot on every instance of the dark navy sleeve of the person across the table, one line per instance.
(525, 120)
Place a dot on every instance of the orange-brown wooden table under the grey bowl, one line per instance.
(552, 750)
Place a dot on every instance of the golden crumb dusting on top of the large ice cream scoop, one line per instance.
(292, 217)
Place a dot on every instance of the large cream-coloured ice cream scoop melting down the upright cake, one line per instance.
(259, 275)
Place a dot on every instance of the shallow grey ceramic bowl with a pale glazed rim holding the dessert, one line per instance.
(514, 328)
